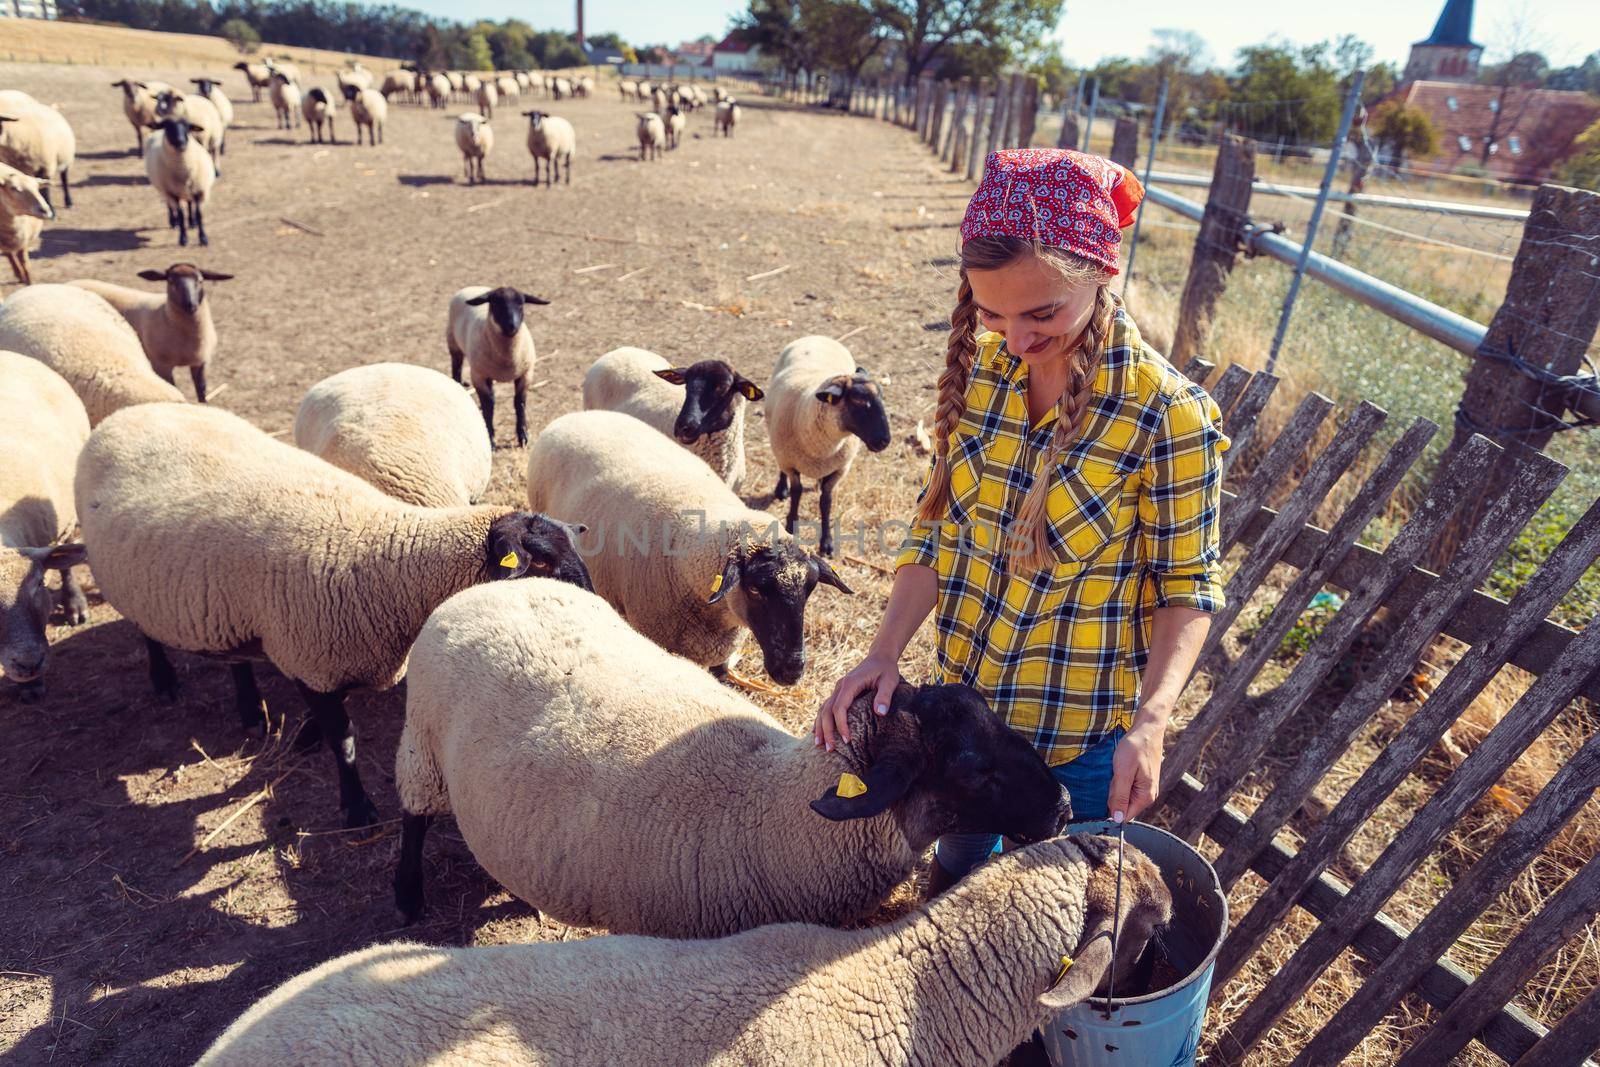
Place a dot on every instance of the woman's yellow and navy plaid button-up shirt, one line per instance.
(1132, 522)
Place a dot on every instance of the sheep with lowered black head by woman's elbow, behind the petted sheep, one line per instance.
(727, 567)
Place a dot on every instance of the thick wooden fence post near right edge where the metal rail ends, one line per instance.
(1540, 332)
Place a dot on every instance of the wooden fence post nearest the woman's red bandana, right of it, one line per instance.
(1217, 247)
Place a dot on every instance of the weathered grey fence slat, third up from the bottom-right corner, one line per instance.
(1569, 791)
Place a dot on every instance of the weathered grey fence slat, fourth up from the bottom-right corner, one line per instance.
(1466, 786)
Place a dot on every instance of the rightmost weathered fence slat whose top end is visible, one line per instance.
(1519, 500)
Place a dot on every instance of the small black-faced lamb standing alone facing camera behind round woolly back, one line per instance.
(487, 334)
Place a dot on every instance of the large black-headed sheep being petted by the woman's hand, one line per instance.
(583, 730)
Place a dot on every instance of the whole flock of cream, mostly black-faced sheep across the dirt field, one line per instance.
(566, 669)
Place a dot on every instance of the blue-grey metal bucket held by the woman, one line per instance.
(1159, 1028)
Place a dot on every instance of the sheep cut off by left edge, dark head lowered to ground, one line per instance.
(42, 430)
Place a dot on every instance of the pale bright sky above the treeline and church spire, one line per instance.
(1566, 31)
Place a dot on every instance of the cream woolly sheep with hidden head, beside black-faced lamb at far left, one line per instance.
(82, 338)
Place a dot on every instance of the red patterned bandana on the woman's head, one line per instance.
(1057, 198)
